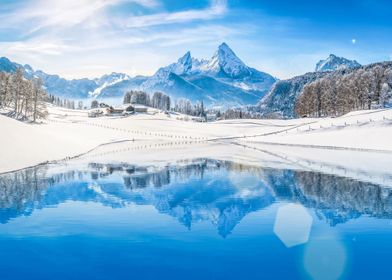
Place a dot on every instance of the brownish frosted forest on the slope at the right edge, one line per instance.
(341, 92)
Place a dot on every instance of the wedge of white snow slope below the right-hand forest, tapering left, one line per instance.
(361, 130)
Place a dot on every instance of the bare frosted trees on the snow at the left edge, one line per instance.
(22, 98)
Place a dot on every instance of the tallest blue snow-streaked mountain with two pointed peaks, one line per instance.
(222, 80)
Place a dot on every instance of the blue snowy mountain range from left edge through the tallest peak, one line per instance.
(223, 79)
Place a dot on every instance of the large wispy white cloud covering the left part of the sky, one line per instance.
(79, 38)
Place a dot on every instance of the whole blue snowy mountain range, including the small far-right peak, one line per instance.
(223, 81)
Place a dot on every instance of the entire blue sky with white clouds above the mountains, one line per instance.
(89, 38)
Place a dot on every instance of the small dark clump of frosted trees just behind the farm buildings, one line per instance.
(158, 100)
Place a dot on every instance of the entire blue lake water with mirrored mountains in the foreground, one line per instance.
(202, 219)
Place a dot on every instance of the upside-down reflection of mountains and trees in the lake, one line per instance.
(221, 192)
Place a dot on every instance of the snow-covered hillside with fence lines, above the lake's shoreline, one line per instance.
(67, 133)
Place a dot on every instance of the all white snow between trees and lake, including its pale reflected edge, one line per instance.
(159, 137)
